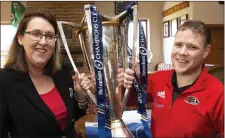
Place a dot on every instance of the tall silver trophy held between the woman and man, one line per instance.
(113, 38)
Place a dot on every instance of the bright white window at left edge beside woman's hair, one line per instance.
(7, 34)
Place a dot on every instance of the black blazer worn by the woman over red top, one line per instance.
(24, 114)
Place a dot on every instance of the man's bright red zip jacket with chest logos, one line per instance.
(196, 112)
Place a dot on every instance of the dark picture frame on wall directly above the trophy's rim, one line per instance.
(121, 6)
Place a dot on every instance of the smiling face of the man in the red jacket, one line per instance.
(188, 52)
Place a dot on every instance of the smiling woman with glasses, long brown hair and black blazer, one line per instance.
(37, 97)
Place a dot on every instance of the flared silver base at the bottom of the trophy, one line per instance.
(119, 129)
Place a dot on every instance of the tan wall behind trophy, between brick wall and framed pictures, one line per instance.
(151, 11)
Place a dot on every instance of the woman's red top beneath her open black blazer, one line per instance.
(55, 103)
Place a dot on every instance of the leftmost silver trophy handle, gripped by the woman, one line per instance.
(59, 23)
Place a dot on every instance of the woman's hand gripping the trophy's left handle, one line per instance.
(81, 85)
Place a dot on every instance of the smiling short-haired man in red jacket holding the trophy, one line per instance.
(186, 101)
